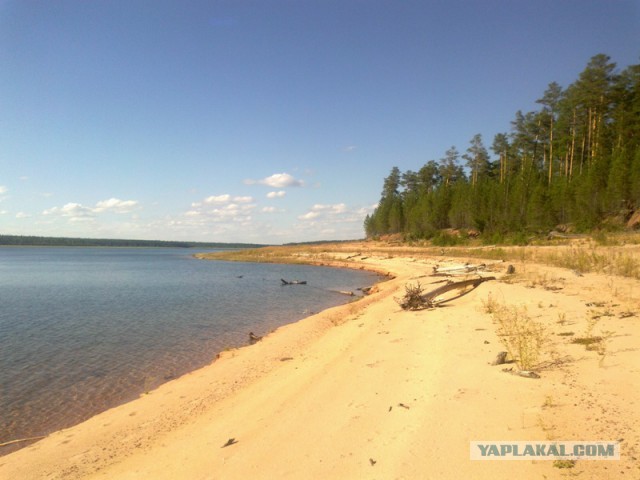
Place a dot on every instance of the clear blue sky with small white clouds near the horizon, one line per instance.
(263, 121)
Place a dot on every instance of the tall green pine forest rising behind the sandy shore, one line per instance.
(572, 163)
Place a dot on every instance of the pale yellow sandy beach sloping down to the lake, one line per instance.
(367, 390)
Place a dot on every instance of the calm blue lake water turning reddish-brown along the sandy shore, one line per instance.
(85, 329)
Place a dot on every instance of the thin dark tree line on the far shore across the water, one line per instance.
(18, 240)
